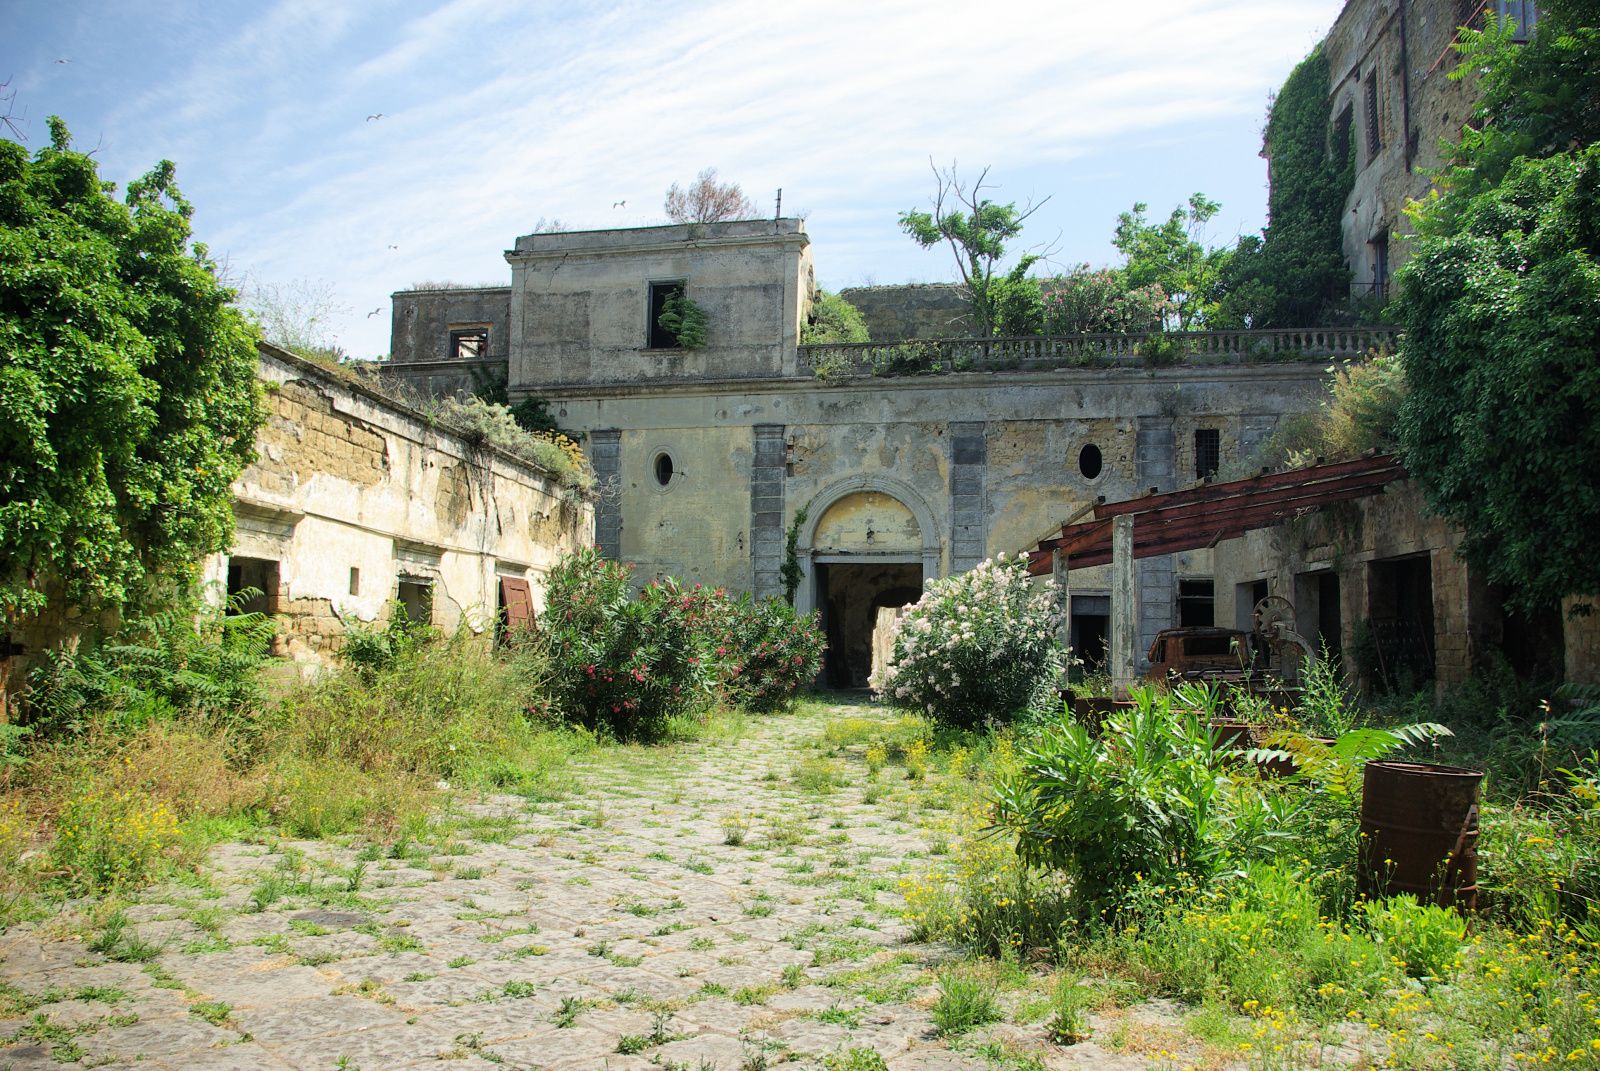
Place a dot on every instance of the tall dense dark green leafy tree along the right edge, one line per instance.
(1502, 305)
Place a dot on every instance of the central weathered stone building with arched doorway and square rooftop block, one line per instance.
(970, 451)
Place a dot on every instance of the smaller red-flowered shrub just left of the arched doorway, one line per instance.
(770, 654)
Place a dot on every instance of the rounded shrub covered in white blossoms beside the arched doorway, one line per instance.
(978, 648)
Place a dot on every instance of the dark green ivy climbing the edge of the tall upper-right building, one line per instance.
(1295, 273)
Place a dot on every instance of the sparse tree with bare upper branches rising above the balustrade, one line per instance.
(977, 231)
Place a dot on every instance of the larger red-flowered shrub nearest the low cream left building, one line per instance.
(626, 664)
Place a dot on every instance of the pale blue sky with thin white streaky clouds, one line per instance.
(356, 150)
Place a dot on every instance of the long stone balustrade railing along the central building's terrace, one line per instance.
(934, 356)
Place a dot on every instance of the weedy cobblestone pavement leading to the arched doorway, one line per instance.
(617, 928)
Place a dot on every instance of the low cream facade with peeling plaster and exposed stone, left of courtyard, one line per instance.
(356, 505)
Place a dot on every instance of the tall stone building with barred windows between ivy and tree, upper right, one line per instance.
(1390, 66)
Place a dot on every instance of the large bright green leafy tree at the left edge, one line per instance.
(129, 395)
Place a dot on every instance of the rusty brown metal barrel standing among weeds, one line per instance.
(1420, 833)
